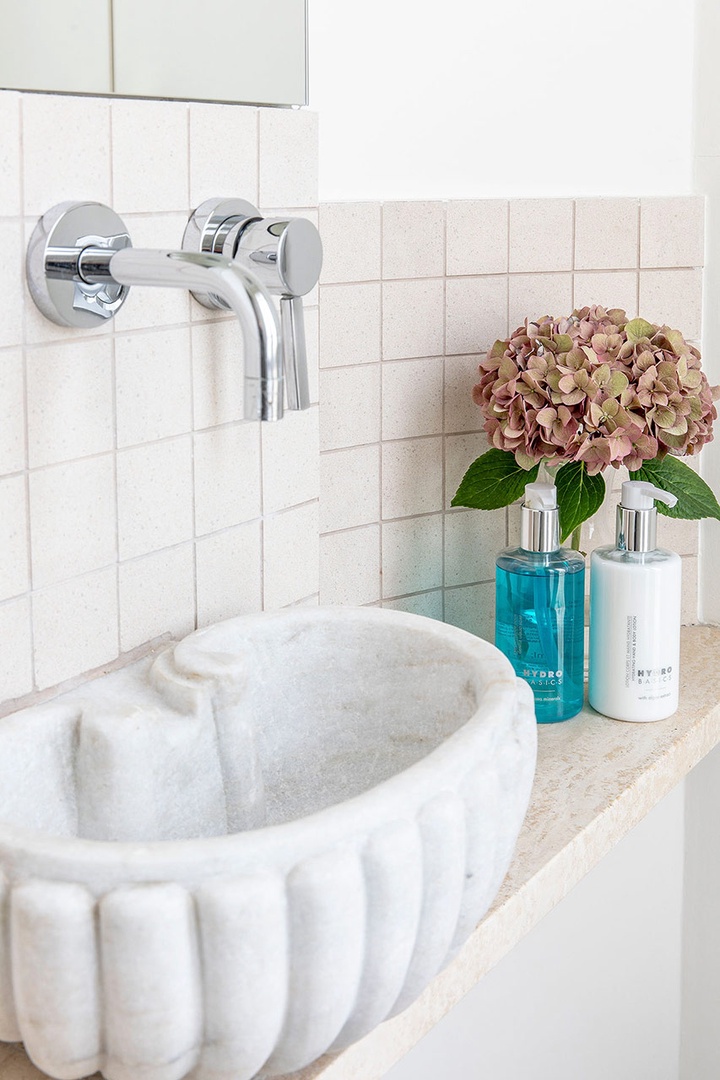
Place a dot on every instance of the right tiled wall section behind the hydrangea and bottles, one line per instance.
(412, 295)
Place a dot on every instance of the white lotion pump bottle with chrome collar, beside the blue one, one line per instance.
(635, 615)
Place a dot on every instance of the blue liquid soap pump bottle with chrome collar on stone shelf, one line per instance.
(540, 603)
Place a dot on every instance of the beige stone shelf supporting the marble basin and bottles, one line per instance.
(596, 779)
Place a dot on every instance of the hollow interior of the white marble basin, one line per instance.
(248, 724)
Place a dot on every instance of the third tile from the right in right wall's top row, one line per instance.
(540, 235)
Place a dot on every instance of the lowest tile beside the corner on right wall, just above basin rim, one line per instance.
(350, 566)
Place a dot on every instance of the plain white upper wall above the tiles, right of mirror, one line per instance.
(463, 100)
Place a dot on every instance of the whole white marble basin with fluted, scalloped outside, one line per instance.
(255, 847)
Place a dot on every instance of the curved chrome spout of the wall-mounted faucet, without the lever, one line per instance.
(212, 274)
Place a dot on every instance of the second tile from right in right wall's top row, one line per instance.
(606, 234)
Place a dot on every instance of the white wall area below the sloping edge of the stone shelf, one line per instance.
(593, 993)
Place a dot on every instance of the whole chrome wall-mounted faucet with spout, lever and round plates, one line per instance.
(81, 265)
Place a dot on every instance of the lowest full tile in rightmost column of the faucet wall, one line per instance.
(291, 557)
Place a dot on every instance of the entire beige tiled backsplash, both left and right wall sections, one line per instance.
(135, 502)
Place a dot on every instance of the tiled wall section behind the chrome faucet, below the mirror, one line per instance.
(134, 501)
